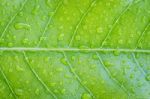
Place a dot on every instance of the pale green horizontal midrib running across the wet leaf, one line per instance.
(74, 49)
